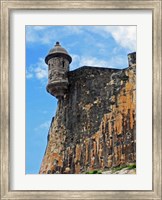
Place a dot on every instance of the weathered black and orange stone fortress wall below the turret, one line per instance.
(95, 123)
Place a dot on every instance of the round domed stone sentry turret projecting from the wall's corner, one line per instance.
(58, 61)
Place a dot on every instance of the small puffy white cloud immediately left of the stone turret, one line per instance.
(38, 70)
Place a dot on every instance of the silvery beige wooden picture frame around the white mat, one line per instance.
(6, 8)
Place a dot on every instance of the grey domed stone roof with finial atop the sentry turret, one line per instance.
(58, 51)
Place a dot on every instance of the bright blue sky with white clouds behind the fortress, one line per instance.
(101, 46)
